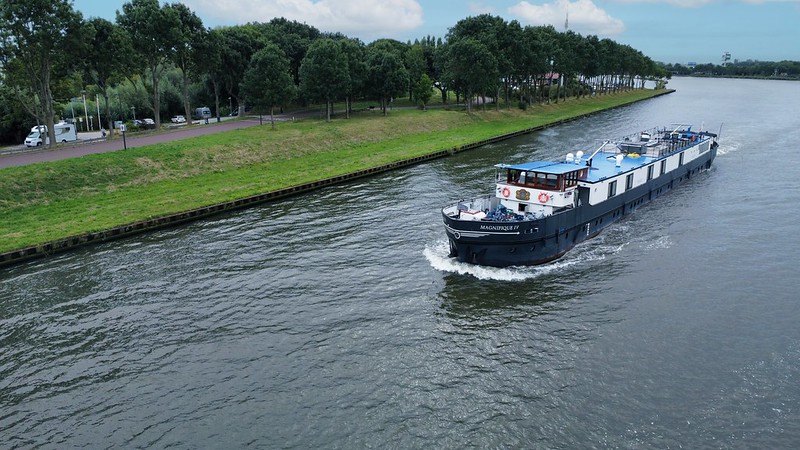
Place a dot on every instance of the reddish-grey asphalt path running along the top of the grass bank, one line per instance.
(43, 154)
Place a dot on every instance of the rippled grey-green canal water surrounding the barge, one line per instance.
(336, 320)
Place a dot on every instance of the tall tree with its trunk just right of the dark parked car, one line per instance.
(155, 35)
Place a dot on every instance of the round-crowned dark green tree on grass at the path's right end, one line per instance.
(268, 81)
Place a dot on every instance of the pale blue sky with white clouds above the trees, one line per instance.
(669, 31)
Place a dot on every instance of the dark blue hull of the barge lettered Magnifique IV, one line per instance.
(532, 242)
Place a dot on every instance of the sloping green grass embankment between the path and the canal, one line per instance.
(50, 201)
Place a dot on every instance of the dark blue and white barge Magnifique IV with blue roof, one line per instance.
(541, 209)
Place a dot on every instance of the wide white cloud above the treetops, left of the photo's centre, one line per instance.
(351, 17)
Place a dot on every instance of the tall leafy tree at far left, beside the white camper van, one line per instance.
(40, 42)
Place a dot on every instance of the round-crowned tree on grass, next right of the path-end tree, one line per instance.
(324, 75)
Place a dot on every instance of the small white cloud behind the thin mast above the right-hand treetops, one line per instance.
(584, 16)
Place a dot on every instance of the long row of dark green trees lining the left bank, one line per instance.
(49, 52)
